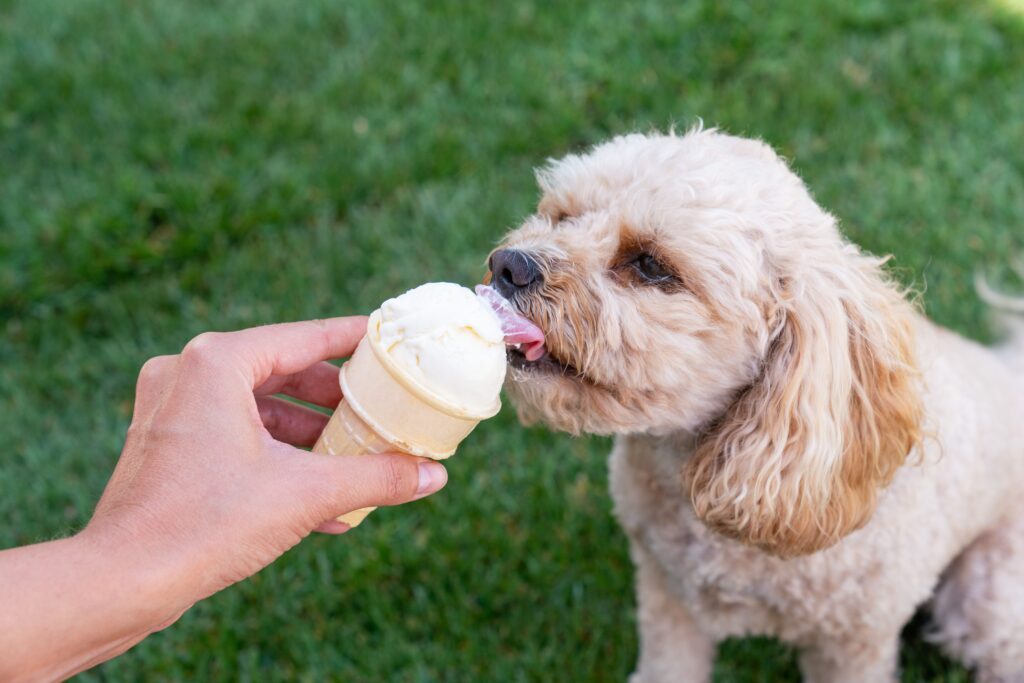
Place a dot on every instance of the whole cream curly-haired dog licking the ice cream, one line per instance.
(799, 452)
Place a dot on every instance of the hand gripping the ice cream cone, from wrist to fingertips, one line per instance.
(210, 485)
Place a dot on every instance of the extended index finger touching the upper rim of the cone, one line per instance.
(274, 350)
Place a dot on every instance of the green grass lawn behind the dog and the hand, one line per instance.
(168, 167)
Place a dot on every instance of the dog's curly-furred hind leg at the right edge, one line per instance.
(979, 607)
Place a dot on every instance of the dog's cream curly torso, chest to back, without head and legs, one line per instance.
(875, 578)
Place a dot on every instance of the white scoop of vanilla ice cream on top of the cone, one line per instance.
(448, 340)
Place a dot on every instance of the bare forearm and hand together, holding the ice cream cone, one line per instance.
(209, 490)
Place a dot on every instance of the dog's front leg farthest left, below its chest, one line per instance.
(673, 650)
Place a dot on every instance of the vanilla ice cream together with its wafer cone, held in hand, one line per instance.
(430, 369)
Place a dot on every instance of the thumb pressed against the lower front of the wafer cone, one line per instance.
(350, 483)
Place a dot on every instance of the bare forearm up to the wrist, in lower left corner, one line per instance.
(70, 605)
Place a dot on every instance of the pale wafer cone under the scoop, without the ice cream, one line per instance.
(386, 410)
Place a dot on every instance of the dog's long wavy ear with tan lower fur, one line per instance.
(798, 460)
